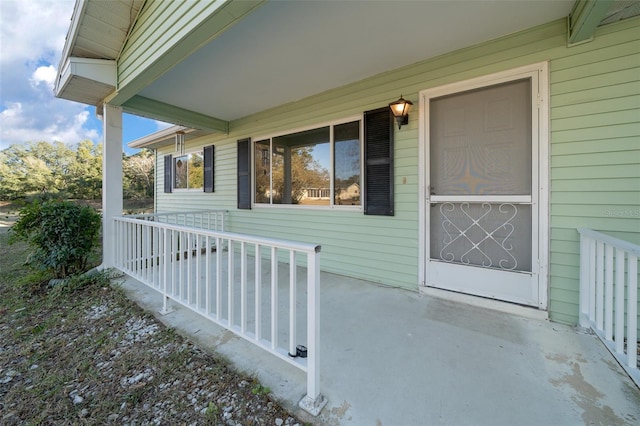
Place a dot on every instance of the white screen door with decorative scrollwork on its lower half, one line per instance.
(482, 180)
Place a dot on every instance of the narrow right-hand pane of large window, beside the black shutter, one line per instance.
(347, 164)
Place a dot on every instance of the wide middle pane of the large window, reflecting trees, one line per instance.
(301, 168)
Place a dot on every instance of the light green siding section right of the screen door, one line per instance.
(595, 152)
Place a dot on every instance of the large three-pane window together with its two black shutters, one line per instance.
(322, 166)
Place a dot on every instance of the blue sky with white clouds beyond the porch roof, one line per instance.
(32, 34)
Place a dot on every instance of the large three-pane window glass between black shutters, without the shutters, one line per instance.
(317, 167)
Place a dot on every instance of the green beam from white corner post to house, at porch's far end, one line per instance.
(146, 107)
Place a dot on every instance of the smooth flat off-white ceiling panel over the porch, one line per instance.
(286, 51)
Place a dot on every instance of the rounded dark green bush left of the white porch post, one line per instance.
(62, 235)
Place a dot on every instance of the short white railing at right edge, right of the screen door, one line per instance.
(609, 294)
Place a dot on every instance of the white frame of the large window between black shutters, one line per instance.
(330, 124)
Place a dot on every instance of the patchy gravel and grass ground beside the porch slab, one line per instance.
(84, 354)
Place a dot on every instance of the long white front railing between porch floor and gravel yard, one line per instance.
(239, 282)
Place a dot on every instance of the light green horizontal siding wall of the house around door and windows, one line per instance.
(594, 156)
